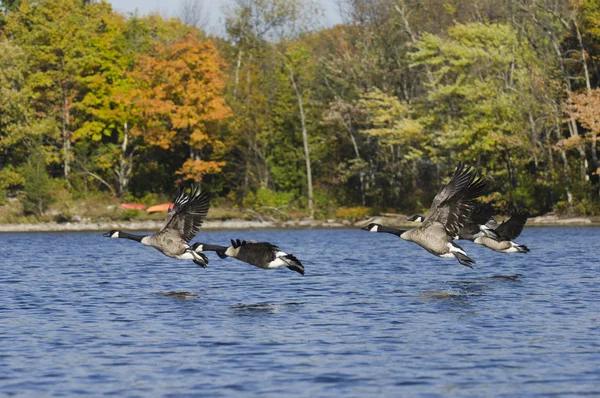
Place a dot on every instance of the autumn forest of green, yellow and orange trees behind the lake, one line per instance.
(281, 116)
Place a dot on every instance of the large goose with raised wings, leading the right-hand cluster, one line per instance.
(450, 209)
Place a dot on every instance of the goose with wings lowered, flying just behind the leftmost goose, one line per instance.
(260, 254)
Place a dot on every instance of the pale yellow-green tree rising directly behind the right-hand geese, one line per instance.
(480, 101)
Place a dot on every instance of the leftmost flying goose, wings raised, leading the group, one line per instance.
(183, 222)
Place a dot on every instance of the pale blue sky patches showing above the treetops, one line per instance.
(213, 7)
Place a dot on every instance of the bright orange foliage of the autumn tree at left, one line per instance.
(180, 88)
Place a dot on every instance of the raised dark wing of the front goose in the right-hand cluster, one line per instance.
(455, 202)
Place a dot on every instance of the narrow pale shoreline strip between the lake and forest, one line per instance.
(148, 225)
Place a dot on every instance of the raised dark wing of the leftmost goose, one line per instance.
(186, 216)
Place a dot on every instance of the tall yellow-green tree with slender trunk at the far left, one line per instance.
(55, 35)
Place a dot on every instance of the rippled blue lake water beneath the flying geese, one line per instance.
(82, 315)
